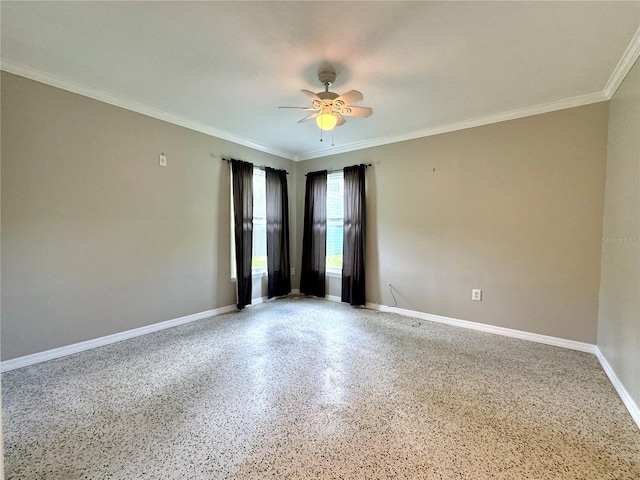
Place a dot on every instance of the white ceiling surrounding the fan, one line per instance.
(424, 67)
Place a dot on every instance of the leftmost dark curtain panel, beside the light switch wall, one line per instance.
(243, 225)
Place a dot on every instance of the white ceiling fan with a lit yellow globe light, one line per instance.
(330, 108)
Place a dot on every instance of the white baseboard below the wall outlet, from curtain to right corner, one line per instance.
(507, 332)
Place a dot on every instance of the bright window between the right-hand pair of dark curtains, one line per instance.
(335, 221)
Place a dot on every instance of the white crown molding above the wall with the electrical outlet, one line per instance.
(462, 125)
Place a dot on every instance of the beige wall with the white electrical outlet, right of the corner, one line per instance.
(514, 209)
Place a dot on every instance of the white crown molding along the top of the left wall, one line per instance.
(96, 94)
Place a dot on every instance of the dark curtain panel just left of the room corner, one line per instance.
(279, 272)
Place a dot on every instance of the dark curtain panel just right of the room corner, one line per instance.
(314, 236)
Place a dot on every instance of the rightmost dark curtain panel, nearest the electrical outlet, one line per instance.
(353, 260)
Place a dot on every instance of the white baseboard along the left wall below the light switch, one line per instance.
(108, 339)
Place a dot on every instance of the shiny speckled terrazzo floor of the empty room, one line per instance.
(310, 389)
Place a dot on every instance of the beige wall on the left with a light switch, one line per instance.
(96, 237)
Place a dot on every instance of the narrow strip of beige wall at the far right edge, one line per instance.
(619, 318)
